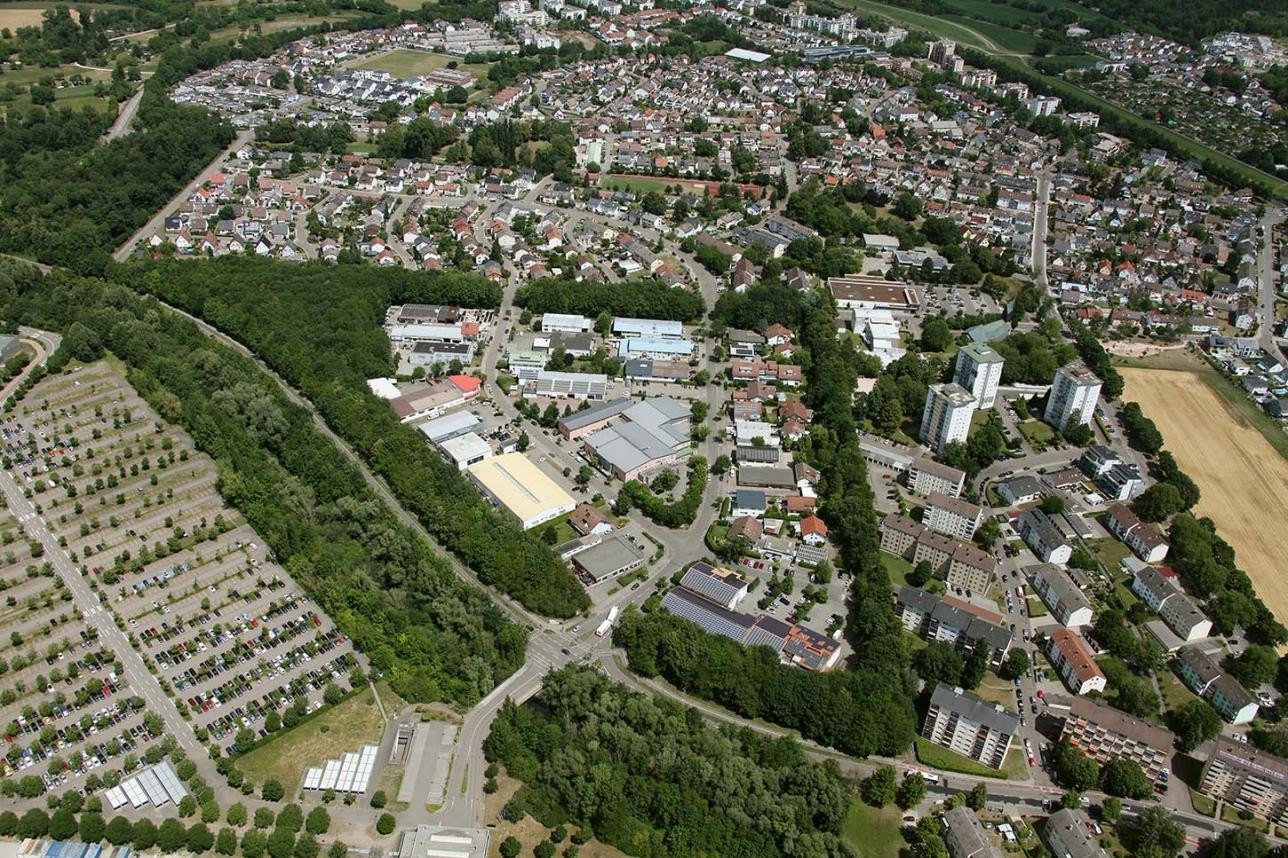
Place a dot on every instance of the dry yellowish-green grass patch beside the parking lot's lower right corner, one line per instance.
(336, 732)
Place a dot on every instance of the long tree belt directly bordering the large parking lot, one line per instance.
(433, 636)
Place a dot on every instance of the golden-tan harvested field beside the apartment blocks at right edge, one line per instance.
(1244, 479)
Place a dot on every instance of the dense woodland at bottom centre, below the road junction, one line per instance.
(650, 777)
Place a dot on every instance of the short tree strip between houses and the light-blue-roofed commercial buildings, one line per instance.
(637, 300)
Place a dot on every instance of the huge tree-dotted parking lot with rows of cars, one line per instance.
(136, 508)
